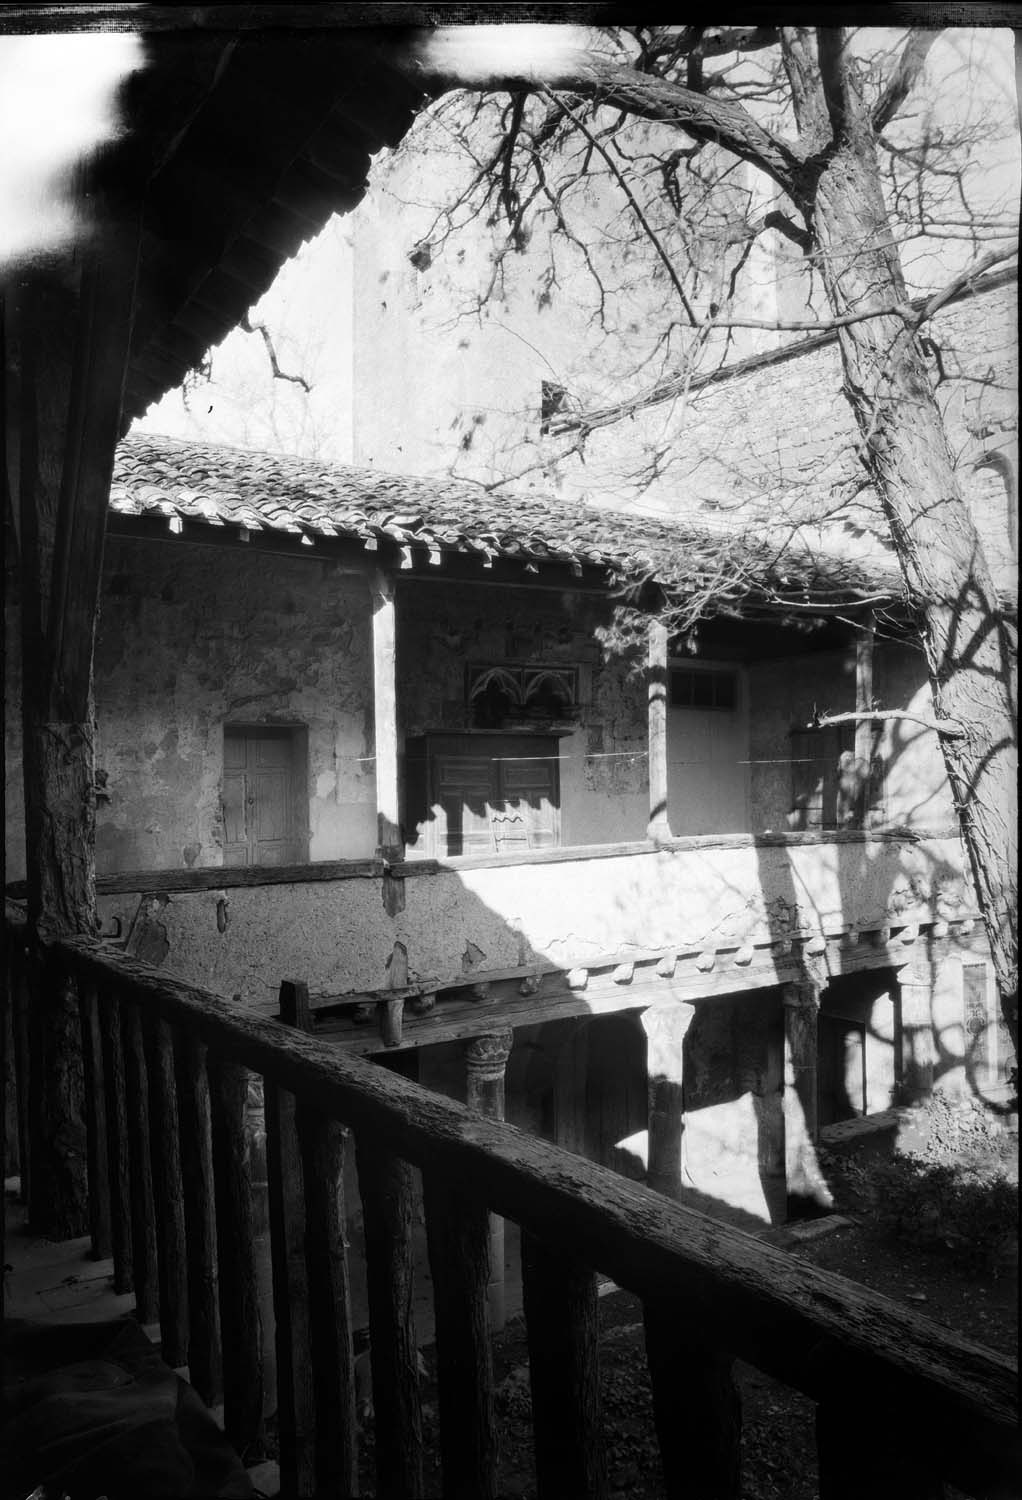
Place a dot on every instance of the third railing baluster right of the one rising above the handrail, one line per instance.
(458, 1241)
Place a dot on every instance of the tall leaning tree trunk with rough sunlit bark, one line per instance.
(904, 446)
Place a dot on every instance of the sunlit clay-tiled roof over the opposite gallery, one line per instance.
(268, 491)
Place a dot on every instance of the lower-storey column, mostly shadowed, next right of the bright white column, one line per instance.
(807, 1189)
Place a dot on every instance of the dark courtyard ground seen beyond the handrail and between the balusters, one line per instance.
(780, 1460)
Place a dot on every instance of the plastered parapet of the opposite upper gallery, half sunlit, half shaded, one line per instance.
(338, 935)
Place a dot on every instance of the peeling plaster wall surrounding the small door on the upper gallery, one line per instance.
(194, 638)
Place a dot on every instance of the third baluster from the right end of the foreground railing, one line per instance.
(562, 1321)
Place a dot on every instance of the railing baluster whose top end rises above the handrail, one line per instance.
(296, 1396)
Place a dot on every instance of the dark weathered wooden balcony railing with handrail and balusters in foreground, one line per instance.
(903, 1403)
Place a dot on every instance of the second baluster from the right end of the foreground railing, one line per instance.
(696, 1408)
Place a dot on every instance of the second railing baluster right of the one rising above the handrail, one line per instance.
(388, 1204)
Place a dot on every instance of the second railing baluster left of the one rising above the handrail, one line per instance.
(200, 1226)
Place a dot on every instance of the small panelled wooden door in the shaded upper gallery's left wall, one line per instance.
(263, 797)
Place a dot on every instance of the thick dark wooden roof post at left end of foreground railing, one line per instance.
(68, 334)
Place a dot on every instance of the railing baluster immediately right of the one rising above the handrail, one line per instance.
(337, 1441)
